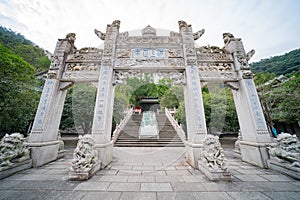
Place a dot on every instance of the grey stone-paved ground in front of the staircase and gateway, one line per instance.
(149, 173)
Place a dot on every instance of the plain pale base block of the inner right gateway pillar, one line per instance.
(193, 153)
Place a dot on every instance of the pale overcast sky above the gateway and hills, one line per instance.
(271, 27)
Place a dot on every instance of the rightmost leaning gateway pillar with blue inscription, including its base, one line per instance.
(251, 118)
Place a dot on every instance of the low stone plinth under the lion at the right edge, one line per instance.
(284, 168)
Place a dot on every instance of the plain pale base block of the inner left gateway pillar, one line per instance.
(105, 153)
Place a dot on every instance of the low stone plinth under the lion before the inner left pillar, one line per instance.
(82, 175)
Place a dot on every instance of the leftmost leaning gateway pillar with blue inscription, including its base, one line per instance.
(43, 139)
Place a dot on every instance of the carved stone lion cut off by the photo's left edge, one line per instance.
(12, 150)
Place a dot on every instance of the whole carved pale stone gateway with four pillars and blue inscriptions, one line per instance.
(174, 56)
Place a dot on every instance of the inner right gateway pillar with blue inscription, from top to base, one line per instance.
(196, 126)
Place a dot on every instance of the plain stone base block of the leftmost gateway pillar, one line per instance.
(43, 152)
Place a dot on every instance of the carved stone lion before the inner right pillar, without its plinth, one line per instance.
(213, 152)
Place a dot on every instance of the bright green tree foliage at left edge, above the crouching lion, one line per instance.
(19, 96)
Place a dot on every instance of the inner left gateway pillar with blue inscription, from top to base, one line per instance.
(102, 122)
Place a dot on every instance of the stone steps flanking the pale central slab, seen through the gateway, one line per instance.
(129, 136)
